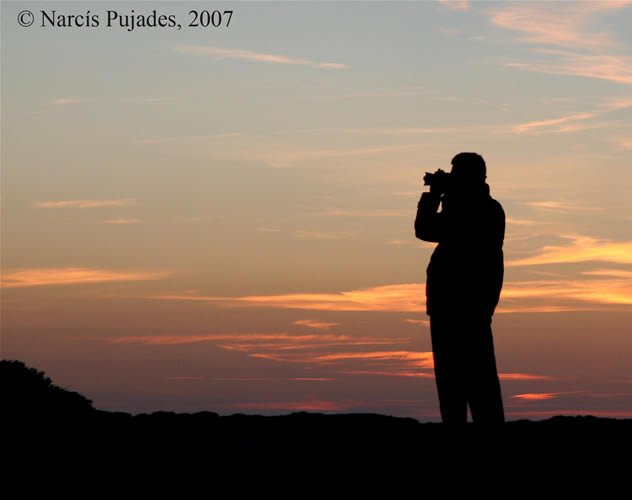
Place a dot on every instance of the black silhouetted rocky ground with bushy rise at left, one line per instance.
(50, 432)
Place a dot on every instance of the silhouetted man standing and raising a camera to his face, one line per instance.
(464, 279)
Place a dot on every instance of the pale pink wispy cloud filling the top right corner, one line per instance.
(566, 40)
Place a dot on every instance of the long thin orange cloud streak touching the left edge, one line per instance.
(71, 276)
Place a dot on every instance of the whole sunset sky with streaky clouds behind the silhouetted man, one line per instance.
(222, 218)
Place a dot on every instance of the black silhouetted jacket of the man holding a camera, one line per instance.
(465, 273)
